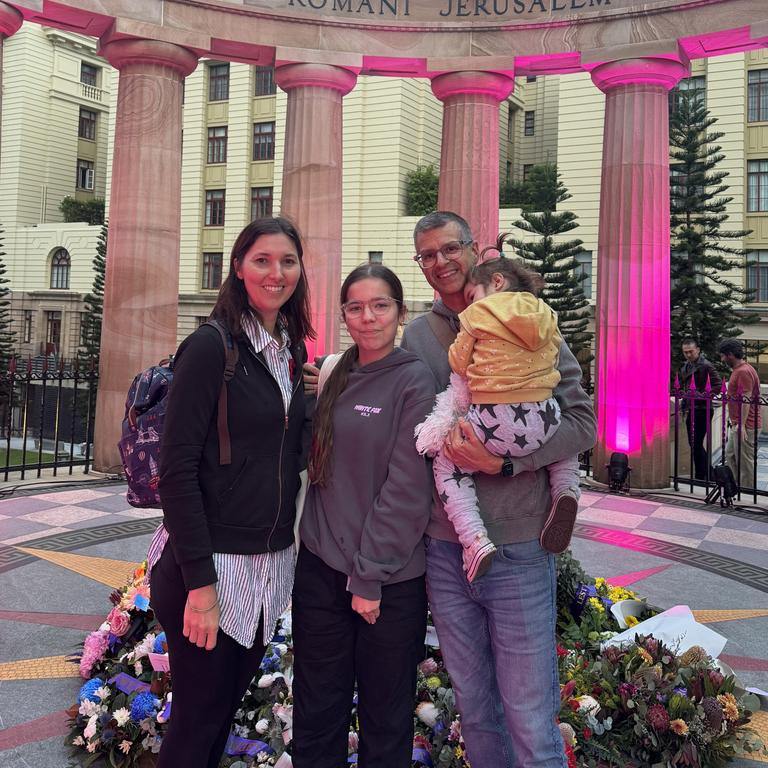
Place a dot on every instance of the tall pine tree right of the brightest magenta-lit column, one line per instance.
(702, 297)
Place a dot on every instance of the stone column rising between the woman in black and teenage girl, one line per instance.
(312, 184)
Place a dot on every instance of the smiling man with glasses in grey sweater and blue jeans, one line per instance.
(498, 633)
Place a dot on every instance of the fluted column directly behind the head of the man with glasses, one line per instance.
(469, 154)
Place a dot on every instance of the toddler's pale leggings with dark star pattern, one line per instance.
(509, 430)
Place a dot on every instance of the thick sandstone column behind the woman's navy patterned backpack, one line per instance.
(142, 278)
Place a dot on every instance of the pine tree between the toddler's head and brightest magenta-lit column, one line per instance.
(556, 261)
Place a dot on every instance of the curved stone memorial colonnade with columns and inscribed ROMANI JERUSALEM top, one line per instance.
(636, 50)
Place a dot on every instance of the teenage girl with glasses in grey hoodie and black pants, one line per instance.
(359, 600)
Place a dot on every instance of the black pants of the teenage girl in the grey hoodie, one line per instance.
(334, 647)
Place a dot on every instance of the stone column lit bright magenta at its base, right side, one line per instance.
(632, 311)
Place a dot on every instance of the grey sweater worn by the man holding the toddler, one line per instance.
(513, 508)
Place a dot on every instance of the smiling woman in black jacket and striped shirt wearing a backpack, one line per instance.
(222, 562)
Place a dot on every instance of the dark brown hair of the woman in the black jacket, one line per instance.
(232, 301)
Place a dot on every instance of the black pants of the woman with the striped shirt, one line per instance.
(207, 685)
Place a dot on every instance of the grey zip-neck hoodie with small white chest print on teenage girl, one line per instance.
(368, 522)
